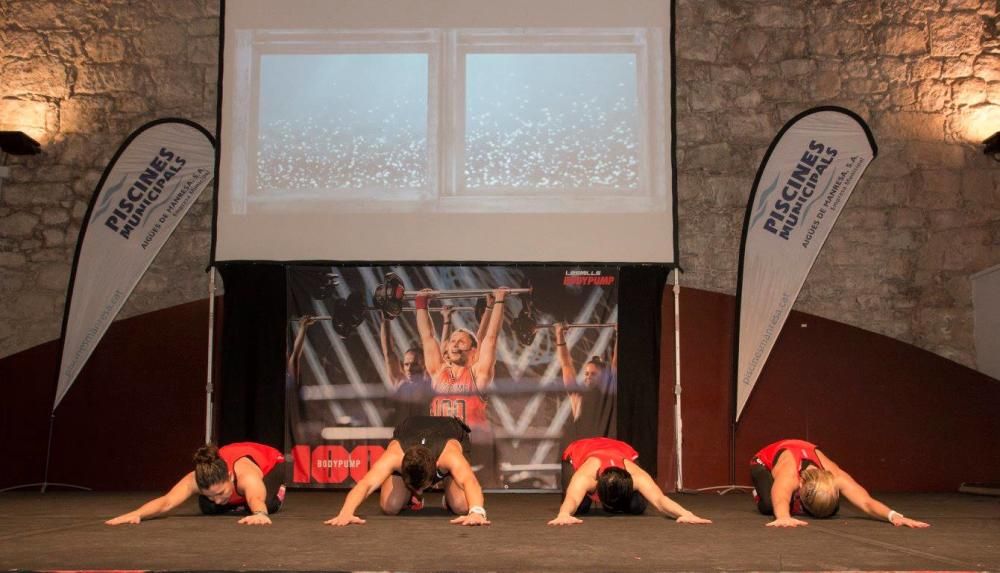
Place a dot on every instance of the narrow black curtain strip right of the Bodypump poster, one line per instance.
(640, 296)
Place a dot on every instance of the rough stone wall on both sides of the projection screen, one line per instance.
(80, 75)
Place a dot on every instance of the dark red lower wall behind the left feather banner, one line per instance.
(131, 420)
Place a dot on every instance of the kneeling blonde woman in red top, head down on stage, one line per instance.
(793, 477)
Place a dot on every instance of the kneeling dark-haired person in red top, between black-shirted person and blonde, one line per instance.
(604, 471)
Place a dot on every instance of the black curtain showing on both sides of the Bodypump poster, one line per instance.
(252, 395)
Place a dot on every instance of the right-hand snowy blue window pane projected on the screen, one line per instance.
(550, 122)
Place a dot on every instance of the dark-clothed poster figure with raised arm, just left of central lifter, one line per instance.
(411, 385)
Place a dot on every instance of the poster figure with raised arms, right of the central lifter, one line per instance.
(593, 400)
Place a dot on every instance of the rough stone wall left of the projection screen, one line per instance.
(79, 76)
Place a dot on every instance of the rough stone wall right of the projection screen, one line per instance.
(925, 75)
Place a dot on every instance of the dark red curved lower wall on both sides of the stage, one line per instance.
(897, 417)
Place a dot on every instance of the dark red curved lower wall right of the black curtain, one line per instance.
(896, 417)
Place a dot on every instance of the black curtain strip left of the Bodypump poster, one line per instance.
(251, 401)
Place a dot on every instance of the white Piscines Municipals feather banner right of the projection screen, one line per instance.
(808, 174)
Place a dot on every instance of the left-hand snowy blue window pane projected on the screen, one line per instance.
(342, 126)
